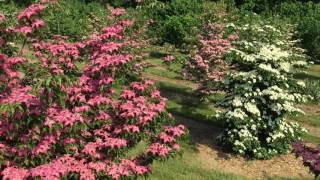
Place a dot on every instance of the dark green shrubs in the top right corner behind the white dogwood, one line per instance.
(304, 13)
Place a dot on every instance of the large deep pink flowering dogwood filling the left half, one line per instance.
(70, 113)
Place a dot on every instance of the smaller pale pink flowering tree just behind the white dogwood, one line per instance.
(207, 63)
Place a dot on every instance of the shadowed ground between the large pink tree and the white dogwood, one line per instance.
(197, 116)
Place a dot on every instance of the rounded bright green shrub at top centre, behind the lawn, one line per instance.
(175, 22)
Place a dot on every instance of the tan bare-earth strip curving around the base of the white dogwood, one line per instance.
(212, 157)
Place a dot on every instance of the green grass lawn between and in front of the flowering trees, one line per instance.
(184, 102)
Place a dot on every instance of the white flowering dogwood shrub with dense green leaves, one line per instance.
(258, 94)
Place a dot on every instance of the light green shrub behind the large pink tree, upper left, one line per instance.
(73, 18)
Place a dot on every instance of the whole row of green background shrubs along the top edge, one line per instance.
(176, 21)
